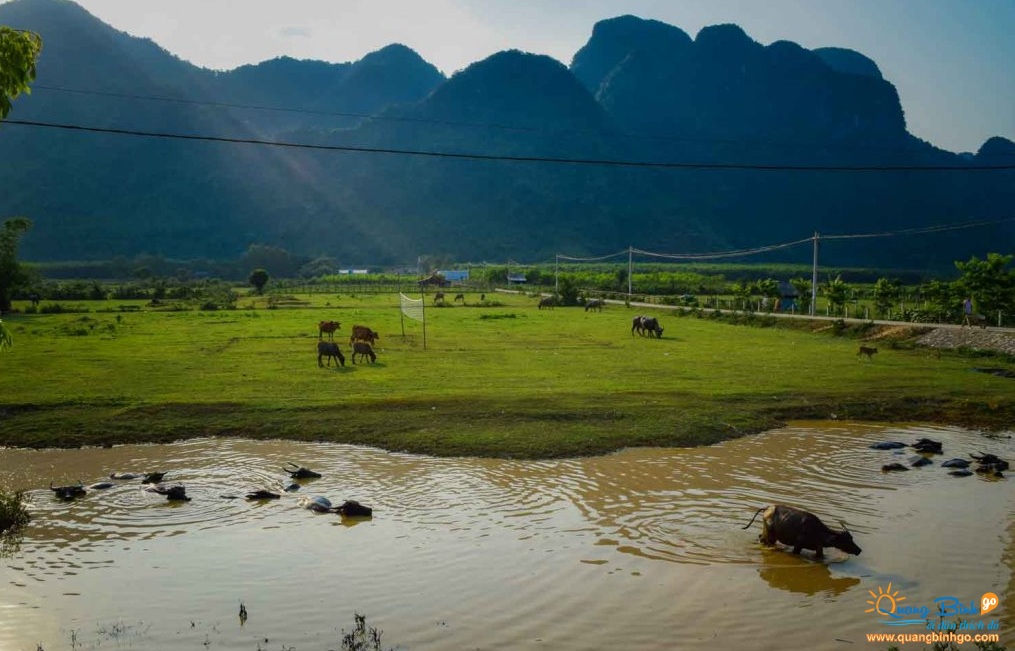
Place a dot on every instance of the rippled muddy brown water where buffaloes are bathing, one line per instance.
(640, 550)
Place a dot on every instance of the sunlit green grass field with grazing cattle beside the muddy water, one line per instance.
(502, 379)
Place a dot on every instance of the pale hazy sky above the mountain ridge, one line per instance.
(952, 60)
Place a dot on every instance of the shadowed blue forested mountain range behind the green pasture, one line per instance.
(639, 92)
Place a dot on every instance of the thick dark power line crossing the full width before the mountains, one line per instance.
(547, 160)
